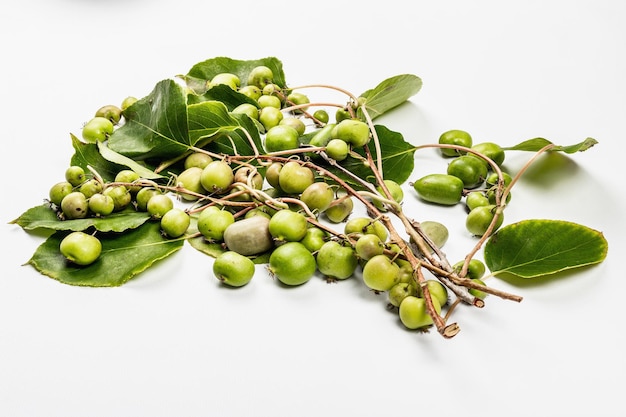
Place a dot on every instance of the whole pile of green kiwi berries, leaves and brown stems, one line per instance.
(248, 170)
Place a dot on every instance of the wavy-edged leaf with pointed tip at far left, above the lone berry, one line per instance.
(44, 217)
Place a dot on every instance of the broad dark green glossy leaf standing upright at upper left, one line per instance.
(155, 126)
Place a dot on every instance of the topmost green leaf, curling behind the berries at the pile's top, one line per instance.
(204, 71)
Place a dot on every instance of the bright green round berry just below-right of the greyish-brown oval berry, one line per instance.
(292, 264)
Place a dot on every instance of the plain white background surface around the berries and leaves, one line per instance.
(173, 342)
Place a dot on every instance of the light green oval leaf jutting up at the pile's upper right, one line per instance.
(390, 93)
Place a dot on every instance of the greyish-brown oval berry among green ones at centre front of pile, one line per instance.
(249, 236)
